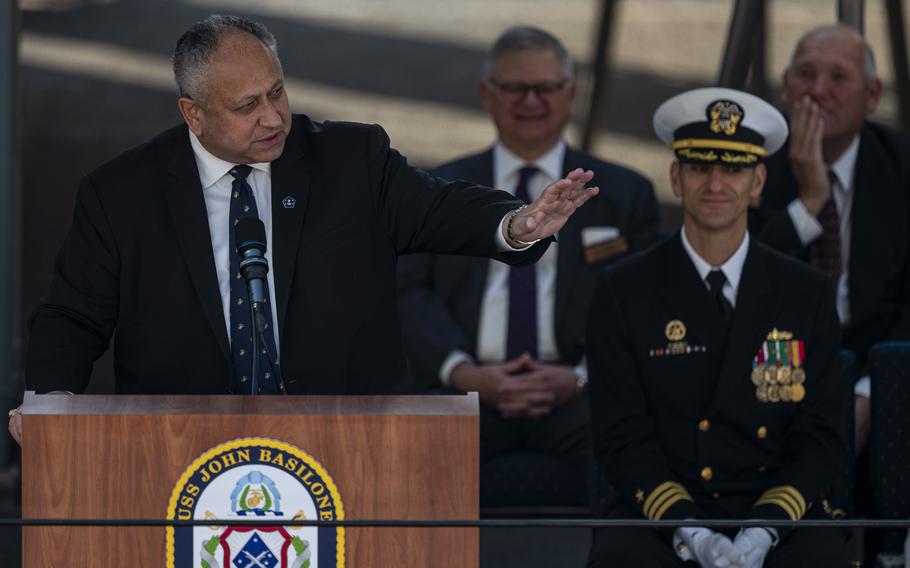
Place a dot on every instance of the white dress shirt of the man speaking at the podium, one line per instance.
(216, 180)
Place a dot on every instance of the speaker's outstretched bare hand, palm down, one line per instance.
(549, 212)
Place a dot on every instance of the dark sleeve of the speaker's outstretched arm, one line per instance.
(428, 214)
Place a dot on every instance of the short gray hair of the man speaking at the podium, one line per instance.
(195, 48)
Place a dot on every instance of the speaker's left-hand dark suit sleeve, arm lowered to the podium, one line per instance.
(73, 324)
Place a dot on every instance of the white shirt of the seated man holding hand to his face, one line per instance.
(808, 228)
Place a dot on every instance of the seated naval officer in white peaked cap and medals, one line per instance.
(715, 371)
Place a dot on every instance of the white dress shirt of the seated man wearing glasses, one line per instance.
(494, 312)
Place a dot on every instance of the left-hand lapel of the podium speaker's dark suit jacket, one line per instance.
(186, 205)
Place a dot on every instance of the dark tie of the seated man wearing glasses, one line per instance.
(522, 330)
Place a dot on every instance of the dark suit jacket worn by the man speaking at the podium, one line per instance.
(138, 260)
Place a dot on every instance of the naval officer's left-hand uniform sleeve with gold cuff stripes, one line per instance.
(625, 443)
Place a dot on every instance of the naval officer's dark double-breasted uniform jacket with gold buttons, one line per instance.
(660, 419)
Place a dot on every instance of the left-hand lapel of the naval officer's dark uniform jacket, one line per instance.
(689, 301)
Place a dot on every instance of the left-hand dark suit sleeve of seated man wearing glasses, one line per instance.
(430, 333)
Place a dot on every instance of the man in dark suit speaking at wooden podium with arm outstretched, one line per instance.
(150, 251)
